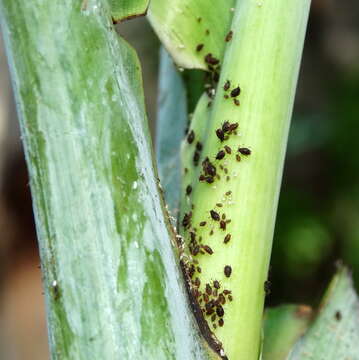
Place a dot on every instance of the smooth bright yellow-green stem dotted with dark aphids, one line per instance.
(263, 58)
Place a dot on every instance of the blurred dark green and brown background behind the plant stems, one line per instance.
(318, 215)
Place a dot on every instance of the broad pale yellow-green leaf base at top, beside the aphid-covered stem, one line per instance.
(182, 25)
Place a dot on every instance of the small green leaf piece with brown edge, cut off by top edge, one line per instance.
(127, 9)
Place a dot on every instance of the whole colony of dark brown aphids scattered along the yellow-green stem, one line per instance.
(211, 296)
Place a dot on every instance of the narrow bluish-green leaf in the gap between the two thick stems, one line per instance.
(171, 125)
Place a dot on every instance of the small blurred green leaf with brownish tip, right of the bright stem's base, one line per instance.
(283, 326)
